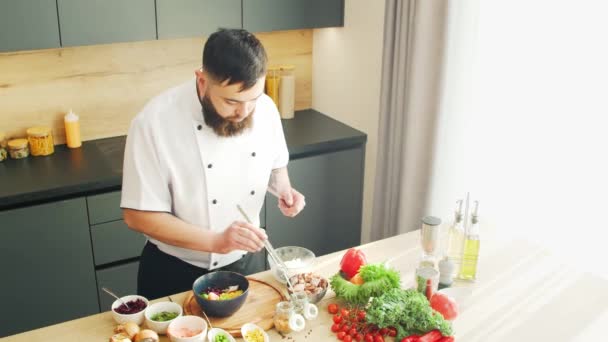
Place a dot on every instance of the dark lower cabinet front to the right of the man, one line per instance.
(333, 186)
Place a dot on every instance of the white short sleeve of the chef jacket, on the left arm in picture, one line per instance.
(145, 185)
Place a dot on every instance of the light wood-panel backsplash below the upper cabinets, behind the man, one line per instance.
(107, 85)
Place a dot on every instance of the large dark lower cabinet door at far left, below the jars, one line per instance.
(47, 267)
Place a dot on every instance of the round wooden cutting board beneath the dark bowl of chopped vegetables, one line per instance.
(258, 308)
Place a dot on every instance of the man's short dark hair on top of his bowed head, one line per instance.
(234, 55)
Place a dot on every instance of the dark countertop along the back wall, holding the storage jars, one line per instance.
(97, 166)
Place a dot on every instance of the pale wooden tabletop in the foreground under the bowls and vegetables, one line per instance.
(524, 293)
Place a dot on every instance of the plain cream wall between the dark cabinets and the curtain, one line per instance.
(347, 66)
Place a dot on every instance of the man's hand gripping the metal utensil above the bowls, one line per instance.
(241, 236)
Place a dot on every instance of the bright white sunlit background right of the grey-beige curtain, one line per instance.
(525, 127)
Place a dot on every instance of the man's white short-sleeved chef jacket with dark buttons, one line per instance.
(175, 163)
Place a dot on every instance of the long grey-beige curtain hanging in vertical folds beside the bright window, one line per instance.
(411, 76)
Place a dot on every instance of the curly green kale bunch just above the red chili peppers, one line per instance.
(408, 311)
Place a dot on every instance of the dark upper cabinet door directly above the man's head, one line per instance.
(191, 18)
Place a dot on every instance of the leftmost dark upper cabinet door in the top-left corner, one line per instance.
(28, 24)
